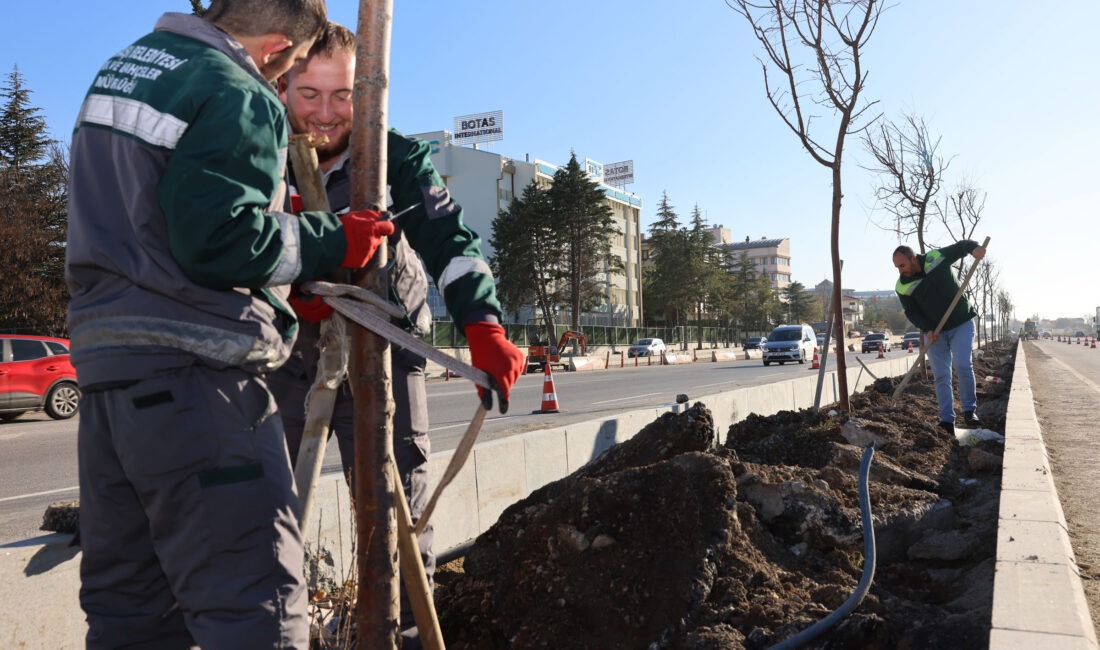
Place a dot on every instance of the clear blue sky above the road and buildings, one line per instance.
(1011, 87)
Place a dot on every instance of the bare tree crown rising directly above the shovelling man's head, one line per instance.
(912, 170)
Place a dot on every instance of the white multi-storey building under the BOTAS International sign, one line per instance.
(485, 183)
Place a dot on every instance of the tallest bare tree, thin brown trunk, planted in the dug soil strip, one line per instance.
(817, 45)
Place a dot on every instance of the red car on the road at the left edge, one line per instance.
(36, 374)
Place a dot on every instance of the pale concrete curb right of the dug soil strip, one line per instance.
(1039, 601)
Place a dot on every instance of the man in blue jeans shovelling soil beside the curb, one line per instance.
(927, 287)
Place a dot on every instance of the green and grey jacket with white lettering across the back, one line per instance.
(179, 248)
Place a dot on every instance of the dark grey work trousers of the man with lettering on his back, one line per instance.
(188, 516)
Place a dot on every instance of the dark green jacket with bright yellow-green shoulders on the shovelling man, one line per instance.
(926, 296)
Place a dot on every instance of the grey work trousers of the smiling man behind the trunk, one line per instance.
(412, 446)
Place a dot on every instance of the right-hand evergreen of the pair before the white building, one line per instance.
(585, 219)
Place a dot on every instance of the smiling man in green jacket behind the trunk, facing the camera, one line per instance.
(318, 96)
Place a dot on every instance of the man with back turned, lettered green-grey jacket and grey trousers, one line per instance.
(179, 265)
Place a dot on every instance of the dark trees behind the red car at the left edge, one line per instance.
(34, 212)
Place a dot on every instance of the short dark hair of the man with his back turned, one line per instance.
(298, 20)
